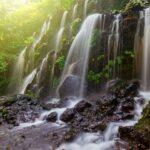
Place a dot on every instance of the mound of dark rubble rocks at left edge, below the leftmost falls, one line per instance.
(19, 108)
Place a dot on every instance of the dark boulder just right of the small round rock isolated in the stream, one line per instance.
(67, 115)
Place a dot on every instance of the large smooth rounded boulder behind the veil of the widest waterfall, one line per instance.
(69, 86)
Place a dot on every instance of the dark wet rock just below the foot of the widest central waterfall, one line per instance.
(79, 107)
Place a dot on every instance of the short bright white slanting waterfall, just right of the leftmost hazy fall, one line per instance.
(28, 80)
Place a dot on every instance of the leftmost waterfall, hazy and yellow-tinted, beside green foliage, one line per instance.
(18, 72)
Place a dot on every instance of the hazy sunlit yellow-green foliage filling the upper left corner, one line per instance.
(18, 22)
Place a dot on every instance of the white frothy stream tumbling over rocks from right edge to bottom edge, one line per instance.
(106, 140)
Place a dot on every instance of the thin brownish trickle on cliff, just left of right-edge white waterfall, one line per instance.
(138, 44)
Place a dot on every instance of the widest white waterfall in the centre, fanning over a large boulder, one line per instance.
(78, 56)
